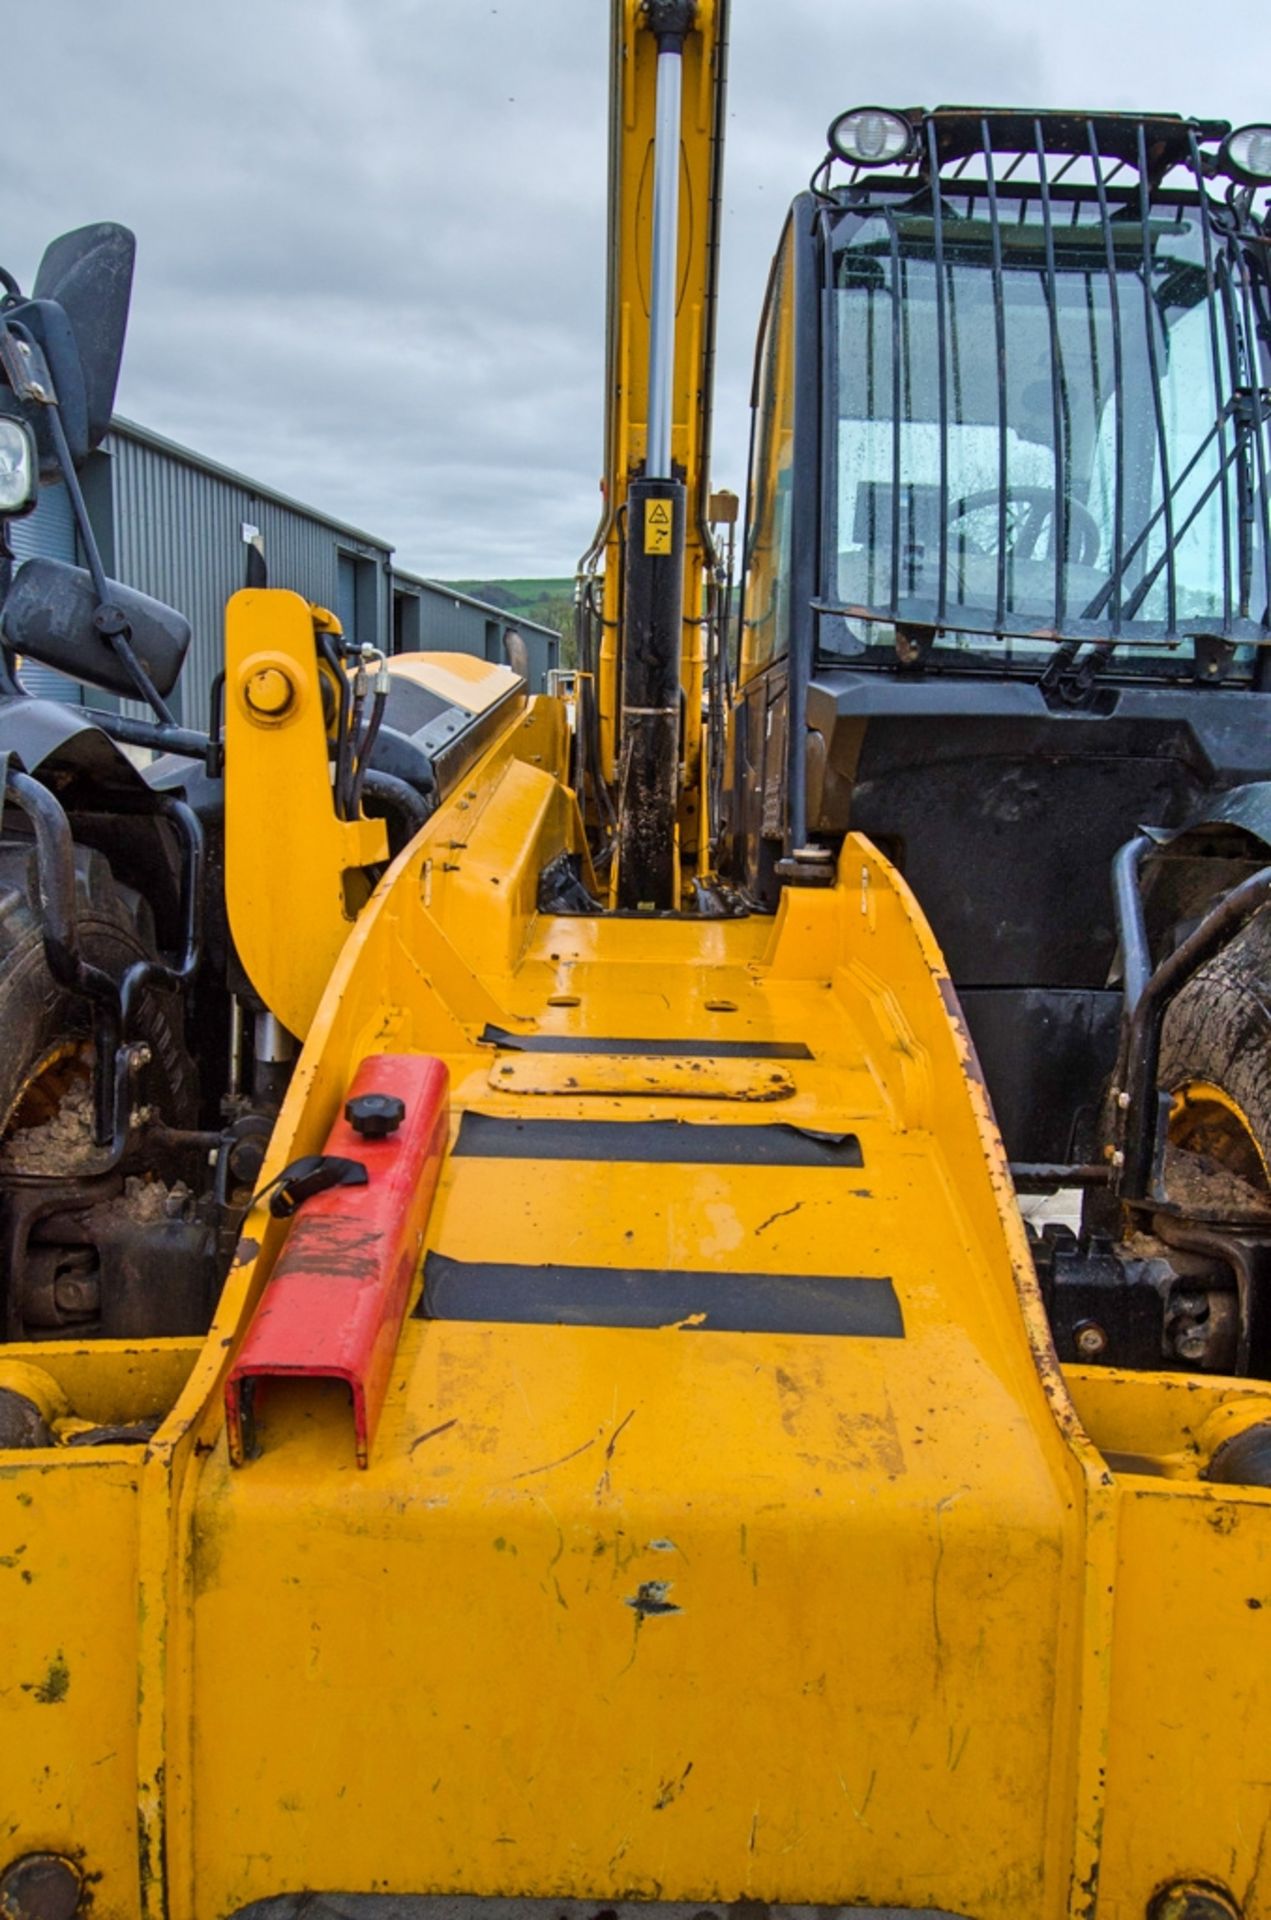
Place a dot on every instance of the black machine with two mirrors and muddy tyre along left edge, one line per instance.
(139, 1074)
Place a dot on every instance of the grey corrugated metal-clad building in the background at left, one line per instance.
(178, 527)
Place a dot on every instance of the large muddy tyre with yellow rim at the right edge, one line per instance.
(1216, 1059)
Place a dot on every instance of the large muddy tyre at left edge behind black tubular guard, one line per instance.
(47, 1032)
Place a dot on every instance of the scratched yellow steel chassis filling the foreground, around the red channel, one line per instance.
(921, 1643)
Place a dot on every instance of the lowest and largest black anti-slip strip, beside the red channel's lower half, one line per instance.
(635, 1297)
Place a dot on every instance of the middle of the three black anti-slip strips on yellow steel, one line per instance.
(669, 1143)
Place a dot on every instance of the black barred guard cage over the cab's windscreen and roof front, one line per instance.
(1049, 427)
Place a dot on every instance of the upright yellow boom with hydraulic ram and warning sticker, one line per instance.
(665, 170)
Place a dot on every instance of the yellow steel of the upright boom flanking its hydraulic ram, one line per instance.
(627, 395)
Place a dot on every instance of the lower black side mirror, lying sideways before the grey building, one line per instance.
(49, 617)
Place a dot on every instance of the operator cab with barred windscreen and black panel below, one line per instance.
(1009, 558)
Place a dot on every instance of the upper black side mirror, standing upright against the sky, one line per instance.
(80, 318)
